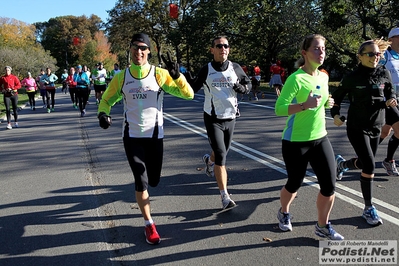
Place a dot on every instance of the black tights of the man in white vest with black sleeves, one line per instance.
(220, 134)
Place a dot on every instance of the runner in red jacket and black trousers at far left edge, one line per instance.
(9, 85)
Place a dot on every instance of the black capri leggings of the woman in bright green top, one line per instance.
(319, 154)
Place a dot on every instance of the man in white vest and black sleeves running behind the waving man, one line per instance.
(221, 80)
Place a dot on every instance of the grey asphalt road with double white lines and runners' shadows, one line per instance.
(67, 193)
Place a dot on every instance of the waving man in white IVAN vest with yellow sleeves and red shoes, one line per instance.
(144, 86)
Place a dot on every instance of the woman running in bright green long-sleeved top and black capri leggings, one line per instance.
(305, 138)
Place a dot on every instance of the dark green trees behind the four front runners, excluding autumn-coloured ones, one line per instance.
(261, 31)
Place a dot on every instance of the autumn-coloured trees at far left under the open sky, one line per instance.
(59, 43)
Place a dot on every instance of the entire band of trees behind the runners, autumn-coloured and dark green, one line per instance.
(258, 30)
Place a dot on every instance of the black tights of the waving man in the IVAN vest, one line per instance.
(145, 159)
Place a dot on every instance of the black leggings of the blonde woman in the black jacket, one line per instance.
(365, 147)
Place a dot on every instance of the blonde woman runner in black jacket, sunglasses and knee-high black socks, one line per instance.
(370, 91)
